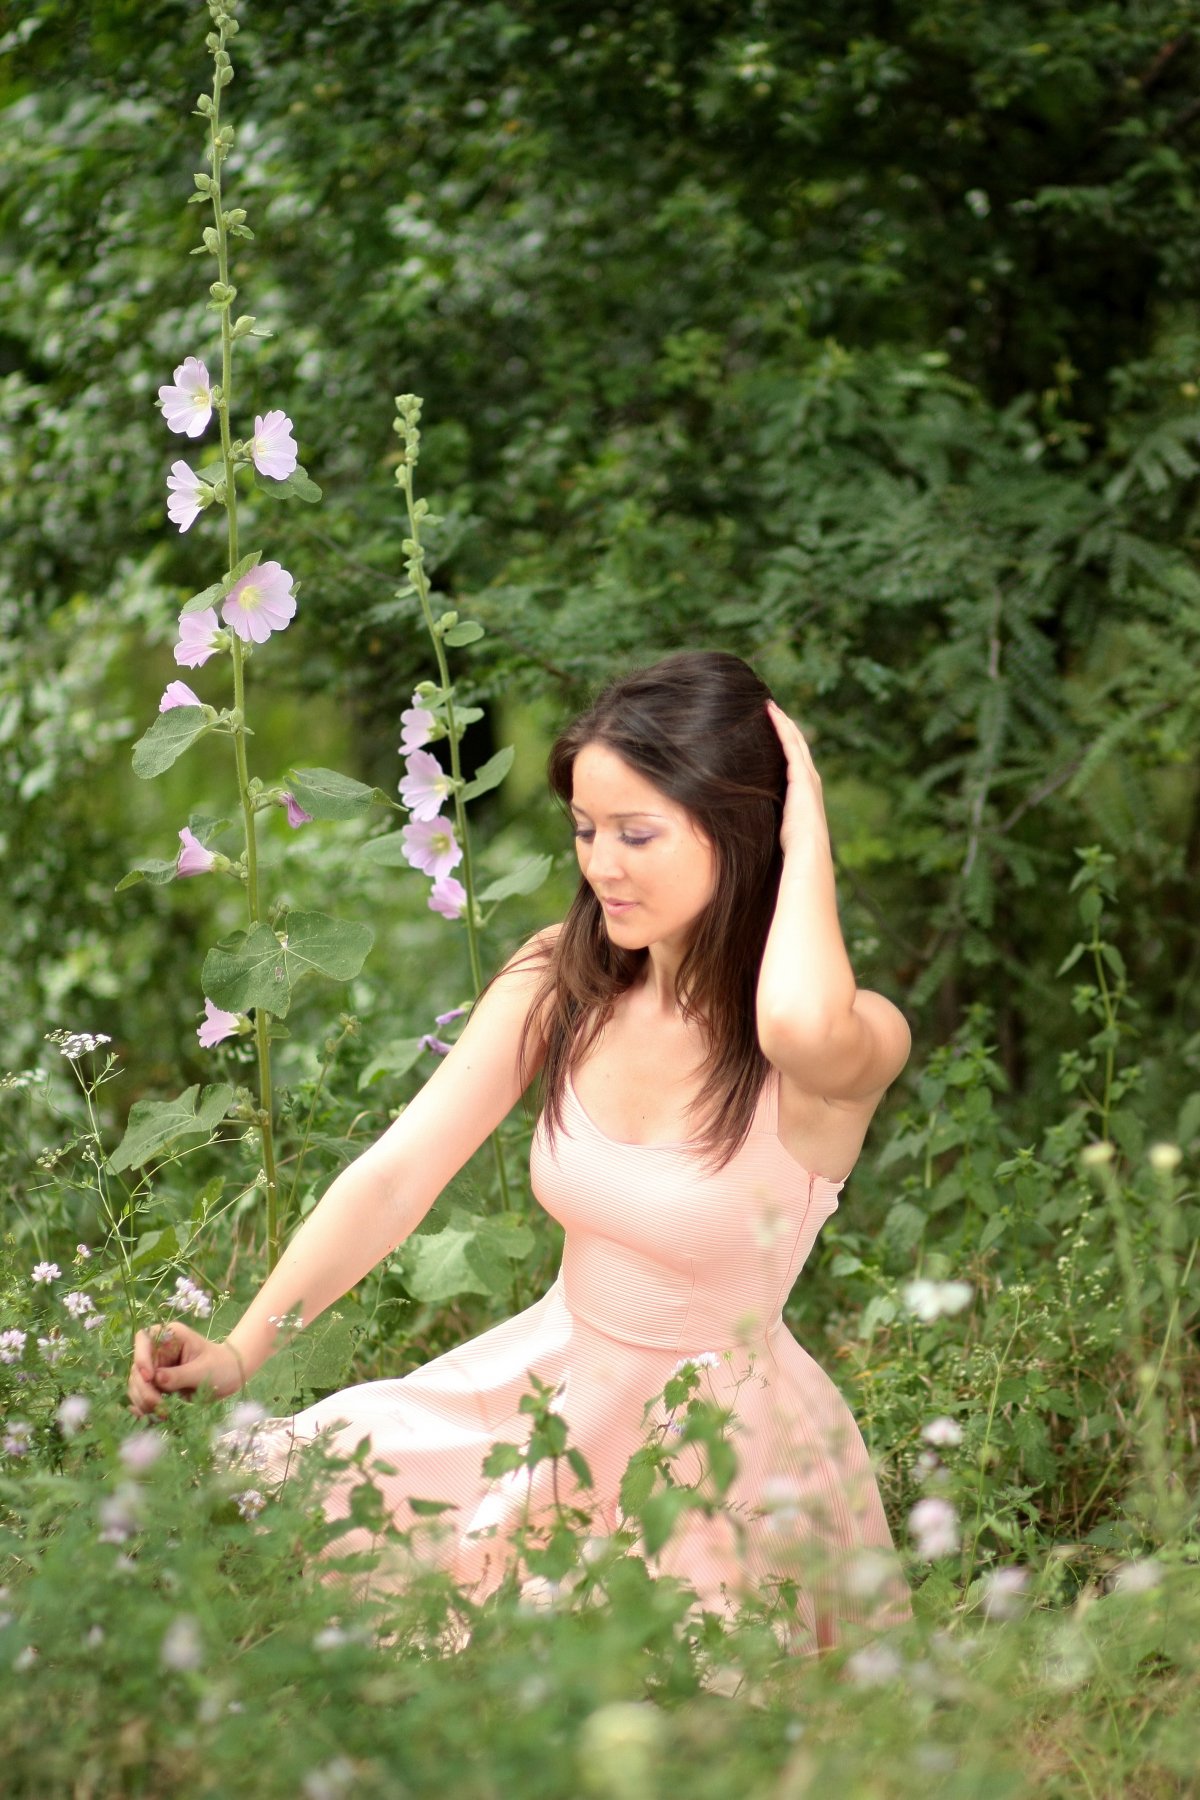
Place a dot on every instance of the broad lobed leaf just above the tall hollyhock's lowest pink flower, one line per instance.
(260, 967)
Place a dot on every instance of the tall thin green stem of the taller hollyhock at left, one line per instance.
(265, 1113)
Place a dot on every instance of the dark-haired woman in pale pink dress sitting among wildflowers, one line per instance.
(704, 1052)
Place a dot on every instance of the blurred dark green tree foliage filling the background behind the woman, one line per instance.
(859, 339)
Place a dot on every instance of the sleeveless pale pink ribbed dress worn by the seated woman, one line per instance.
(663, 1261)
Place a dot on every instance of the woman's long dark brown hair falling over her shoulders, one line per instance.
(697, 726)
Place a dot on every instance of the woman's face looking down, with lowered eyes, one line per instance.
(645, 858)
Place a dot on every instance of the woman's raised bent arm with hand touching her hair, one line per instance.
(814, 1021)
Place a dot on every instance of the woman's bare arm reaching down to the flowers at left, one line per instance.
(372, 1207)
